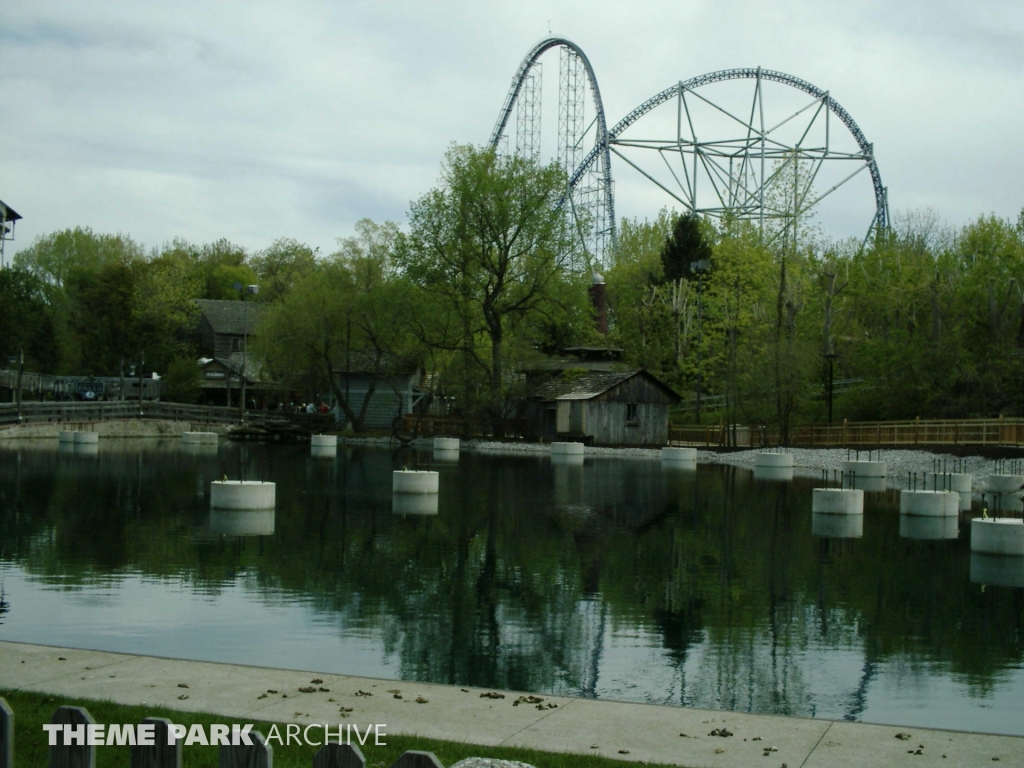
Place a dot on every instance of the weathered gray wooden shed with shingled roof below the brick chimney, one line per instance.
(624, 408)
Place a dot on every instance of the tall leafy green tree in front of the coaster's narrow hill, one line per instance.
(491, 246)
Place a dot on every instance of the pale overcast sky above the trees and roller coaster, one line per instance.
(253, 120)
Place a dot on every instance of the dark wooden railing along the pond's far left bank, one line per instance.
(72, 413)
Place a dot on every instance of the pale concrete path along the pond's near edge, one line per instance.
(627, 732)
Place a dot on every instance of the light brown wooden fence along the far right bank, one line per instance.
(861, 435)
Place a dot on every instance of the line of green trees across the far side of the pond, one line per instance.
(920, 320)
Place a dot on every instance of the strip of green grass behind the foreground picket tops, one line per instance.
(33, 710)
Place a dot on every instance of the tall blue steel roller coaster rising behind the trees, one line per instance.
(712, 159)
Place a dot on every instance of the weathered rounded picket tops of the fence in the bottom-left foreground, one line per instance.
(165, 752)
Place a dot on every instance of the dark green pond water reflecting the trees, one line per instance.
(617, 580)
